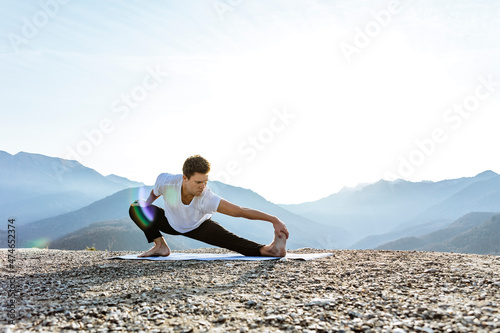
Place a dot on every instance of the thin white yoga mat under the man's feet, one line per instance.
(220, 256)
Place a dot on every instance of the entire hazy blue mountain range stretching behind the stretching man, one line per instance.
(63, 204)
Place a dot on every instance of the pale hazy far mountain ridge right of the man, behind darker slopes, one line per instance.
(385, 211)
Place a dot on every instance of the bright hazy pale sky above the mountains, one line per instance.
(292, 99)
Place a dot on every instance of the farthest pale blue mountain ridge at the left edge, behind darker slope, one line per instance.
(34, 186)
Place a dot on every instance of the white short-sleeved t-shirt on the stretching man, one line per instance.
(184, 218)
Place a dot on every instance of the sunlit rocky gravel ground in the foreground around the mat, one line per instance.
(351, 291)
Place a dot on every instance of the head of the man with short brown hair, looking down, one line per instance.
(195, 174)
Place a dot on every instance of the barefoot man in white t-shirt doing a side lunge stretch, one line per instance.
(189, 205)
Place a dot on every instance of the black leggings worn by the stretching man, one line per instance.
(152, 220)
